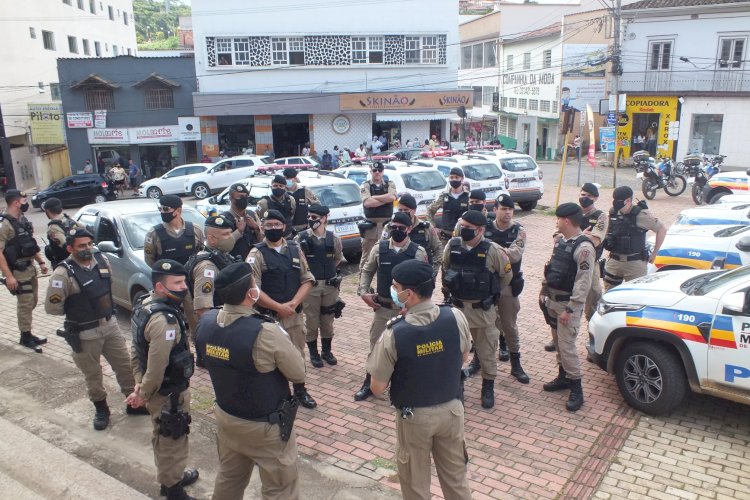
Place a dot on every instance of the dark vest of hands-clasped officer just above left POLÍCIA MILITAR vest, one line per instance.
(282, 277)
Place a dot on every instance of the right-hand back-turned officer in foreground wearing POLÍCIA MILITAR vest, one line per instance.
(421, 355)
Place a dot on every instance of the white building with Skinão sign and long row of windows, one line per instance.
(277, 74)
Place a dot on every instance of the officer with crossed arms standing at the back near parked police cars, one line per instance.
(378, 195)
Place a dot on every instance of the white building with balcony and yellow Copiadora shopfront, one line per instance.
(687, 62)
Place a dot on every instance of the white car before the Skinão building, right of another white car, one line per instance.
(222, 174)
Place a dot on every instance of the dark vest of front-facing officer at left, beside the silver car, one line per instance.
(94, 301)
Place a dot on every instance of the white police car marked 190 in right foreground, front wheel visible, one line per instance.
(666, 332)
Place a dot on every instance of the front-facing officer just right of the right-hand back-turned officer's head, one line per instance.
(474, 272)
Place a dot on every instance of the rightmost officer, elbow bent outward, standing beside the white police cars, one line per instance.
(626, 239)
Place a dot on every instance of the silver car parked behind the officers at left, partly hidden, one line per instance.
(119, 230)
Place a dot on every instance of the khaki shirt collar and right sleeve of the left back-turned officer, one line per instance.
(273, 348)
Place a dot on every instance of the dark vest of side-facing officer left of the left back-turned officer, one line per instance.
(181, 362)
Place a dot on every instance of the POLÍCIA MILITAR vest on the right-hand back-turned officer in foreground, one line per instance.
(428, 364)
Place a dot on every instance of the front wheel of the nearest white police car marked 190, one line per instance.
(650, 377)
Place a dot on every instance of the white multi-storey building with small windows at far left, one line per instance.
(33, 35)
